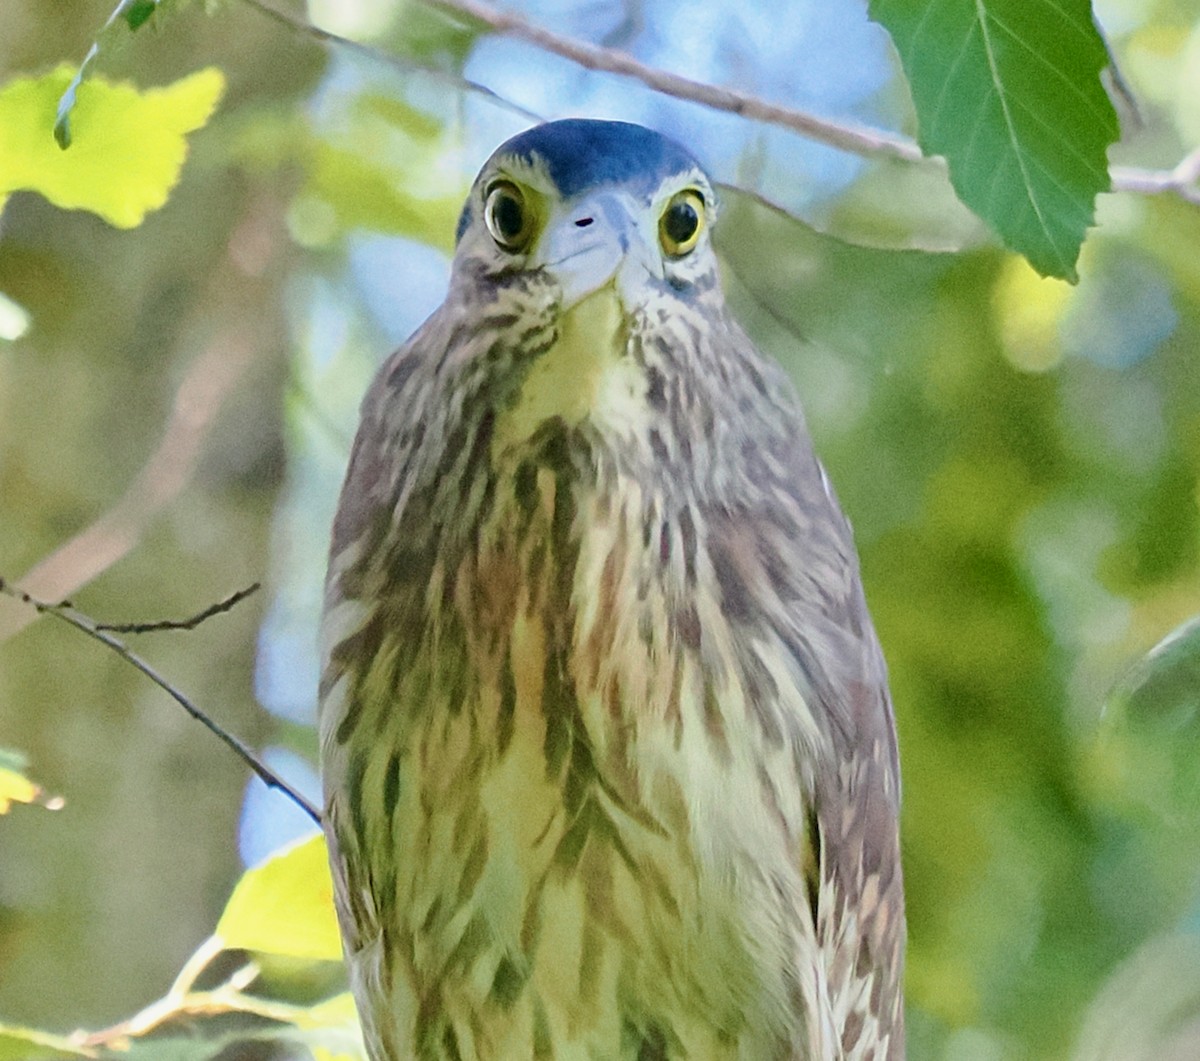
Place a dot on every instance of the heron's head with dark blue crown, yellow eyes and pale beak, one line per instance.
(584, 205)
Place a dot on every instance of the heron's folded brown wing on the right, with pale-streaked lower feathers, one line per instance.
(788, 572)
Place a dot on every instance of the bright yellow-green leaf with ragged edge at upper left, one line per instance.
(131, 147)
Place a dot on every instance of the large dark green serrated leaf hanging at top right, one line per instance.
(1010, 92)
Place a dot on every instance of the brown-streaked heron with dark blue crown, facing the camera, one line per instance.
(609, 752)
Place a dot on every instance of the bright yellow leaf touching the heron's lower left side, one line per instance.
(285, 906)
